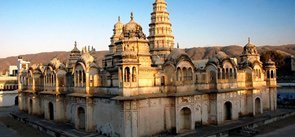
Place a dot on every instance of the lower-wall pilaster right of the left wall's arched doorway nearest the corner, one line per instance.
(89, 127)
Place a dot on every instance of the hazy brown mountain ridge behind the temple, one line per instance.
(196, 53)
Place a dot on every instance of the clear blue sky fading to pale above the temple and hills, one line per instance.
(33, 26)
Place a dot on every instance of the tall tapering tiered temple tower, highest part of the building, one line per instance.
(161, 39)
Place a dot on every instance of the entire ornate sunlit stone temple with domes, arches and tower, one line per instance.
(146, 87)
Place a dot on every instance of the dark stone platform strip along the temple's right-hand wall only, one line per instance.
(244, 124)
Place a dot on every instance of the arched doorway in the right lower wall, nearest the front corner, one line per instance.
(185, 119)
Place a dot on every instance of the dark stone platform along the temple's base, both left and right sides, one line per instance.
(244, 123)
